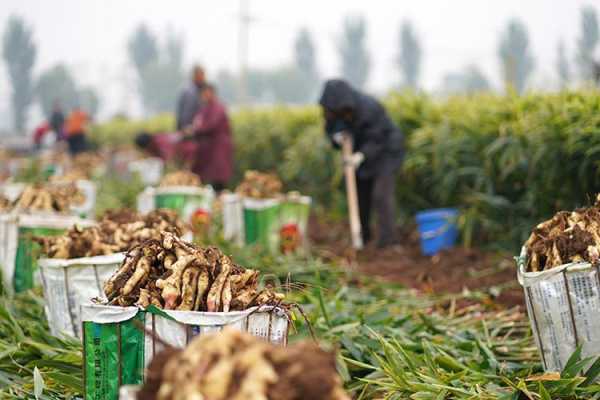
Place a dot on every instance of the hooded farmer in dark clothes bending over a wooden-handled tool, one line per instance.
(378, 152)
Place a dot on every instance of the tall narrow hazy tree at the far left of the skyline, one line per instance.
(19, 52)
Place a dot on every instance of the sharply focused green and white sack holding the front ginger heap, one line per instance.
(120, 342)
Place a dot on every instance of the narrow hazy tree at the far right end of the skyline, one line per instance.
(587, 42)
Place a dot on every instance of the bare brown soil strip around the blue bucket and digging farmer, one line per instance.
(452, 271)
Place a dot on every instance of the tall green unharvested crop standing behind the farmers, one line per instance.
(507, 162)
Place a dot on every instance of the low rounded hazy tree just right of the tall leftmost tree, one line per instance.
(56, 84)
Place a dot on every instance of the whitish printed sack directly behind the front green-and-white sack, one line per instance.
(70, 283)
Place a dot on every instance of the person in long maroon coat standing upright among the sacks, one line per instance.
(212, 133)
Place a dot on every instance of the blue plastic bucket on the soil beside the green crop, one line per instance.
(437, 229)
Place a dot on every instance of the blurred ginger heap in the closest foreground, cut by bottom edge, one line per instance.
(237, 366)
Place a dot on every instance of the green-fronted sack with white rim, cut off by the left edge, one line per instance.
(19, 253)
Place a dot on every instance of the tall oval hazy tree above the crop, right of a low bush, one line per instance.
(515, 55)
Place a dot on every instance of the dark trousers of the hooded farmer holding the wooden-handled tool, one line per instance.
(378, 191)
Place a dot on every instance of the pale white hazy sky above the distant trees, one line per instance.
(90, 35)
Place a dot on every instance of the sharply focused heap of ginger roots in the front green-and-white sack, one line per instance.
(175, 275)
